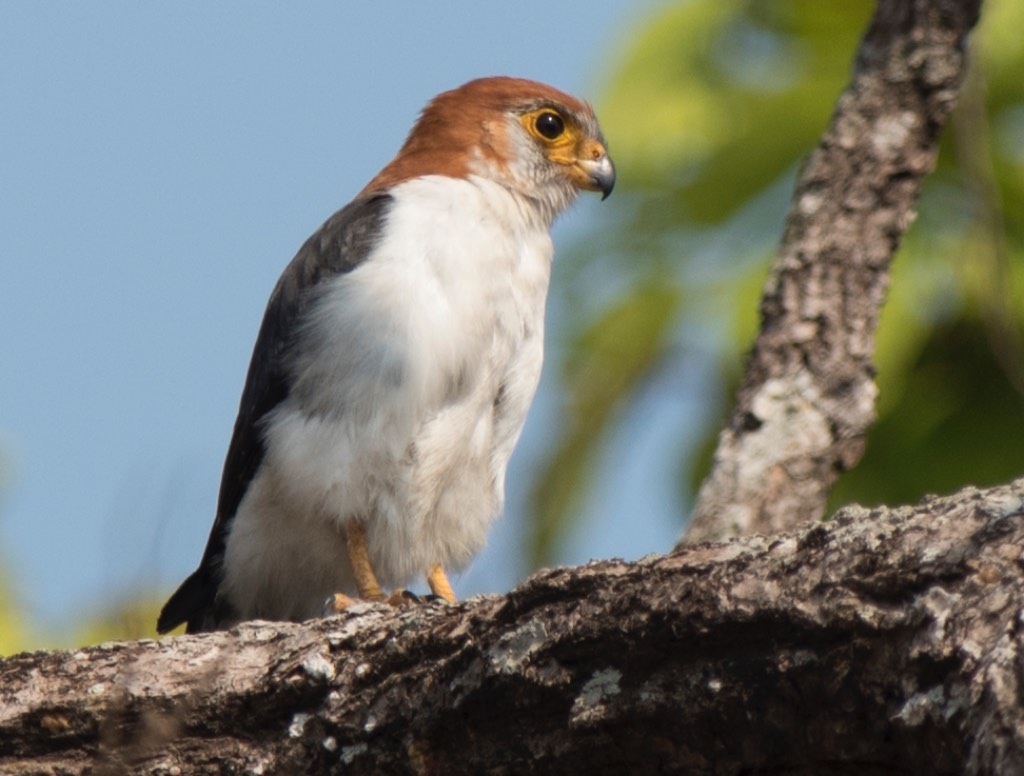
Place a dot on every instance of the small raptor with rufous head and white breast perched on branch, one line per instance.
(395, 366)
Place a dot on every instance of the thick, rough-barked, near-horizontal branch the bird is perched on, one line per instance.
(886, 641)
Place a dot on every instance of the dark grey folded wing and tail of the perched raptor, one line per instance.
(340, 245)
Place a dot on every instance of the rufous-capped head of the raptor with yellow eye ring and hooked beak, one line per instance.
(540, 143)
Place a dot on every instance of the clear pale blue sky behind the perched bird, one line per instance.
(160, 164)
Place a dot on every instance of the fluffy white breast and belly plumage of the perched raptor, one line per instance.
(412, 384)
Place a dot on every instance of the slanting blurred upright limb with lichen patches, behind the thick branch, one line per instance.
(808, 395)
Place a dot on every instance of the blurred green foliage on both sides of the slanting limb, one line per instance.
(709, 115)
